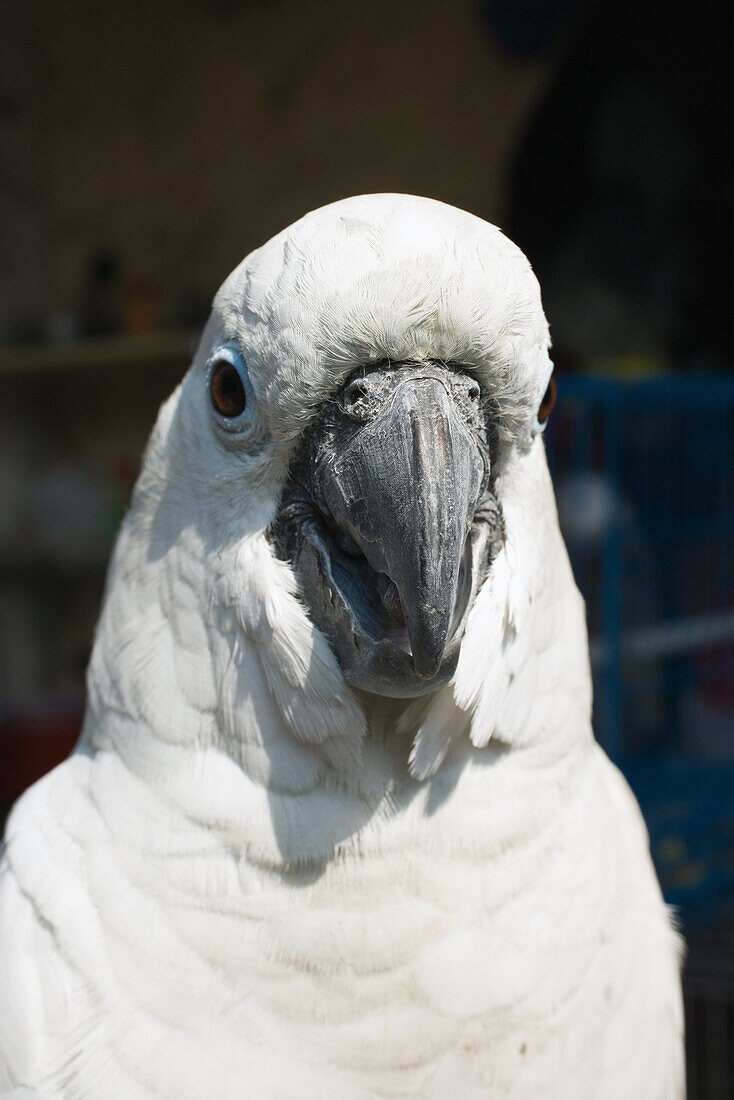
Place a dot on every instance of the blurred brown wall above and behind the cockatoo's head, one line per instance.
(183, 135)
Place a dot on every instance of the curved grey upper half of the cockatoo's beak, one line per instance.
(406, 489)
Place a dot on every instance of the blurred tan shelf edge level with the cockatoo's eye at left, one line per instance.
(171, 346)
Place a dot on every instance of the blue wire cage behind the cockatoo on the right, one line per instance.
(647, 500)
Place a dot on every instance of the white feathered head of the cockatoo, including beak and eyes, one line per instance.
(349, 491)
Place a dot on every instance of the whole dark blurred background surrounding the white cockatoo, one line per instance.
(146, 149)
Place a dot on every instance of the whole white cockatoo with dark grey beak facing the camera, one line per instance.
(337, 824)
